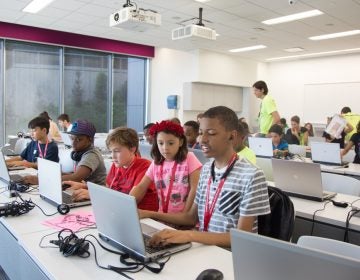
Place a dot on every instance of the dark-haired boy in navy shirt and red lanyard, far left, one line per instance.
(40, 146)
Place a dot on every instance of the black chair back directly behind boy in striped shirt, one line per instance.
(279, 223)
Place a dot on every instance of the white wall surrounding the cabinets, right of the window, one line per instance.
(171, 68)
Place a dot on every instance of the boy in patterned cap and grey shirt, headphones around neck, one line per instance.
(88, 161)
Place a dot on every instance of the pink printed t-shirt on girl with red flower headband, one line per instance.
(181, 188)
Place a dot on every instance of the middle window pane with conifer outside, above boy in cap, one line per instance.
(86, 87)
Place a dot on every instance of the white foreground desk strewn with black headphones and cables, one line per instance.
(21, 236)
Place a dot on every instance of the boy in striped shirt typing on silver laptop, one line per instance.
(231, 192)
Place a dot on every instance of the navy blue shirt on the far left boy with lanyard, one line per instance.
(31, 152)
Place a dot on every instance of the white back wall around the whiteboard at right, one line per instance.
(287, 80)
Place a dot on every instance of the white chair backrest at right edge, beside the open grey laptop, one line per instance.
(340, 183)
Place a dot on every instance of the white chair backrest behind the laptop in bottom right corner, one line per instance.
(330, 245)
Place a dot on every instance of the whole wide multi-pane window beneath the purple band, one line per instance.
(106, 89)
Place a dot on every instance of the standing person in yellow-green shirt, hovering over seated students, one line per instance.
(268, 114)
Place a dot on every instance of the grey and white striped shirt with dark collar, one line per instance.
(244, 193)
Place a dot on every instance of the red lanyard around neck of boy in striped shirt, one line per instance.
(209, 208)
